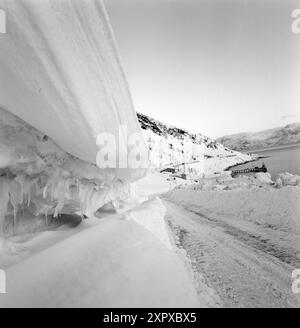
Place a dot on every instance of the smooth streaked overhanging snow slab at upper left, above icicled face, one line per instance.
(60, 72)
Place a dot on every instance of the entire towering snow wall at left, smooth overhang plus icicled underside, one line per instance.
(61, 85)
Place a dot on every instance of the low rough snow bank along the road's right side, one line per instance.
(263, 205)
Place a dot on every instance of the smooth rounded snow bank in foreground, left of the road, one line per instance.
(117, 263)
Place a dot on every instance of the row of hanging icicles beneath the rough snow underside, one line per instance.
(55, 197)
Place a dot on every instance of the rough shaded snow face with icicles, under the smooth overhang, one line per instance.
(39, 179)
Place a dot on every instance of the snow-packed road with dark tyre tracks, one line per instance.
(245, 269)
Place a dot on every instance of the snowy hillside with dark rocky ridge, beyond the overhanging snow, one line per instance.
(170, 146)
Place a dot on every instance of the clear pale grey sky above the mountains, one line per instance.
(217, 67)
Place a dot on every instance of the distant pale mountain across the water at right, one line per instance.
(281, 136)
